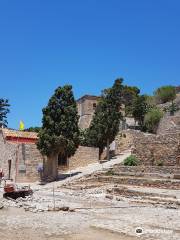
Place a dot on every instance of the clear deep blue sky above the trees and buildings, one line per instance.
(86, 43)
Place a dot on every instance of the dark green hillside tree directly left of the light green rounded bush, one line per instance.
(139, 109)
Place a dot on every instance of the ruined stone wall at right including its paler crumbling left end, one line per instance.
(151, 149)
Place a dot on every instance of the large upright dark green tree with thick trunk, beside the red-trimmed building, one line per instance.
(60, 132)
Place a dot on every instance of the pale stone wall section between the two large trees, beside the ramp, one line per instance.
(84, 156)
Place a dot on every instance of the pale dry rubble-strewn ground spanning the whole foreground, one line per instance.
(97, 210)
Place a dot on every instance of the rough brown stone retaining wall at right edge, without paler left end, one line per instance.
(157, 149)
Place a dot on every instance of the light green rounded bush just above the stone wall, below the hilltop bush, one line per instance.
(152, 119)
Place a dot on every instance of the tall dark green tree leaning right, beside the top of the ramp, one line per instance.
(106, 119)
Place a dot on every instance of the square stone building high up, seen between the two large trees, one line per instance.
(86, 106)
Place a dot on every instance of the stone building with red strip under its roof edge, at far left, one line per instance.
(19, 156)
